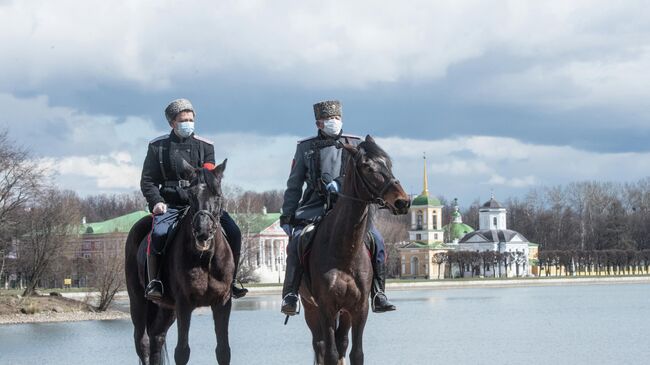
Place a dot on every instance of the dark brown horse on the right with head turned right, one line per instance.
(335, 298)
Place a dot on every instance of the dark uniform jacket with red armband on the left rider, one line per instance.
(162, 173)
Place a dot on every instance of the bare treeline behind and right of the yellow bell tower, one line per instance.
(579, 216)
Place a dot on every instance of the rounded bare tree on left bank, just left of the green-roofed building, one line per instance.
(47, 226)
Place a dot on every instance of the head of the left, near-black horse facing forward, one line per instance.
(206, 200)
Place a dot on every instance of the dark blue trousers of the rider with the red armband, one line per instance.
(163, 222)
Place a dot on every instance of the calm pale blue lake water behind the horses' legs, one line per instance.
(582, 324)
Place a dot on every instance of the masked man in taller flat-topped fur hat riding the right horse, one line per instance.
(318, 162)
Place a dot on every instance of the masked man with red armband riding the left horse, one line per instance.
(163, 184)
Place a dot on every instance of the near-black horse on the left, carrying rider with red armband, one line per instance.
(197, 270)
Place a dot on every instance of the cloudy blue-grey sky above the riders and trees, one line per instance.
(500, 95)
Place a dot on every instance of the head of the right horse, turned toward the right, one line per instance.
(378, 185)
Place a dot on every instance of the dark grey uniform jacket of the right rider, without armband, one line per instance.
(317, 162)
